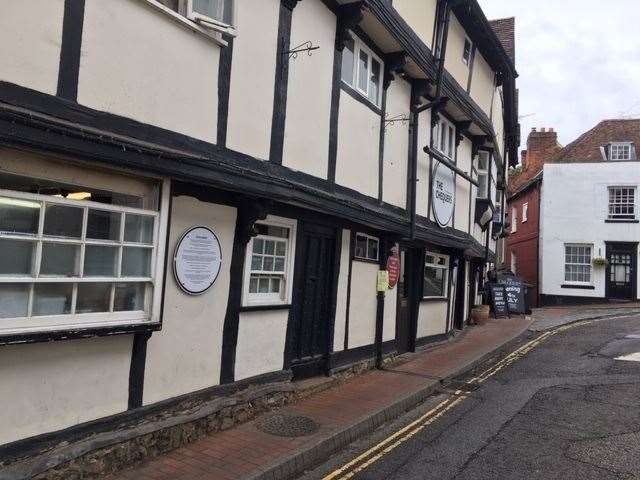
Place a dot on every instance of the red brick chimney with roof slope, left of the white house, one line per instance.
(542, 145)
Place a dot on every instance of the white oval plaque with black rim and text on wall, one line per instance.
(197, 260)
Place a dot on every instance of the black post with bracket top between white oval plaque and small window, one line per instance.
(248, 213)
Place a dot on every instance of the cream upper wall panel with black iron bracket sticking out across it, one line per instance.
(306, 141)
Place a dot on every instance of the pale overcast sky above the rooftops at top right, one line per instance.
(578, 61)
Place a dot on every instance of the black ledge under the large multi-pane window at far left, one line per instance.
(73, 334)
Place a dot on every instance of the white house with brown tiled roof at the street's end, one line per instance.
(590, 228)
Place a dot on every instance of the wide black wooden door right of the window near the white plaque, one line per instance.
(314, 301)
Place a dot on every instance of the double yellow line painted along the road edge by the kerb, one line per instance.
(376, 452)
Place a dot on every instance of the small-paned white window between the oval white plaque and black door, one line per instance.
(266, 299)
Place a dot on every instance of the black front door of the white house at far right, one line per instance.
(621, 276)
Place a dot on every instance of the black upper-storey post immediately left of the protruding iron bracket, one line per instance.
(281, 80)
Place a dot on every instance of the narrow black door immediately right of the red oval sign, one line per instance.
(404, 308)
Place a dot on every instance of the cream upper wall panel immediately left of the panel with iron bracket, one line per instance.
(252, 76)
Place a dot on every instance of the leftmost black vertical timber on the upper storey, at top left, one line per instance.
(69, 68)
